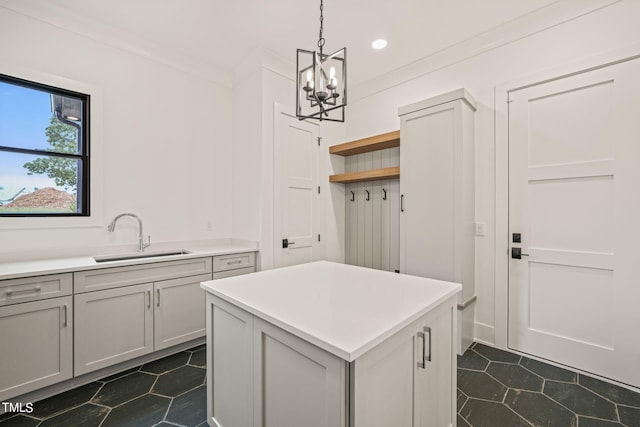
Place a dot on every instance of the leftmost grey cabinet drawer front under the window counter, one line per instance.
(35, 288)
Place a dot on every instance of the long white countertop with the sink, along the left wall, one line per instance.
(53, 264)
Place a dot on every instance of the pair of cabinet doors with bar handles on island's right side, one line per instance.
(409, 379)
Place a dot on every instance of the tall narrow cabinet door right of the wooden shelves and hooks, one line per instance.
(431, 158)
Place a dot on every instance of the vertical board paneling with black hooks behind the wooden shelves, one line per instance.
(371, 226)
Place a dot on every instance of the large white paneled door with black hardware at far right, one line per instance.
(574, 156)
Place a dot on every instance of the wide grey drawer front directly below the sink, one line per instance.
(108, 278)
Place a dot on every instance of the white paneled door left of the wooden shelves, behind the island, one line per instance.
(296, 189)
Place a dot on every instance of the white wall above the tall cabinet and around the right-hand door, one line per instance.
(479, 69)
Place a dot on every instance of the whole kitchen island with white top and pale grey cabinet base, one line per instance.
(327, 344)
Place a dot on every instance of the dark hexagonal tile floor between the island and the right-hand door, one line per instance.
(499, 388)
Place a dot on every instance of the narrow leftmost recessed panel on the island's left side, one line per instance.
(229, 364)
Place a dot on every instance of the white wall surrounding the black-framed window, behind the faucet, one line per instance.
(165, 139)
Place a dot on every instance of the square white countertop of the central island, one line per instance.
(343, 309)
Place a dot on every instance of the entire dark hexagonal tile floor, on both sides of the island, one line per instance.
(495, 389)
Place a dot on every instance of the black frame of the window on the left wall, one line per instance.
(84, 159)
